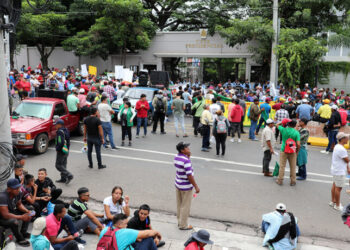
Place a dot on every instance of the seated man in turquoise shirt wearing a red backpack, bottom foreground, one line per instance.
(118, 237)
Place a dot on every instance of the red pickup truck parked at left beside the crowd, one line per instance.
(32, 122)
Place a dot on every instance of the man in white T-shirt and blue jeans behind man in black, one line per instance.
(106, 116)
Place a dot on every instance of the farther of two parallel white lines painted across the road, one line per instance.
(209, 159)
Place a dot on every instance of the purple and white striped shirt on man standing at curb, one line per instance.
(184, 168)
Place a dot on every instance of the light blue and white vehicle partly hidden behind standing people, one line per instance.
(134, 95)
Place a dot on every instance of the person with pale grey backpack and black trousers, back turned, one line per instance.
(220, 130)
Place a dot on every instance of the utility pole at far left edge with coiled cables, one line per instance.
(5, 129)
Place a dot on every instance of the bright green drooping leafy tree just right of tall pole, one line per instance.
(298, 56)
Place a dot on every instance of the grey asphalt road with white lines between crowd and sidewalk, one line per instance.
(232, 188)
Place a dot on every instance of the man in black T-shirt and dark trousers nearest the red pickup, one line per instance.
(93, 135)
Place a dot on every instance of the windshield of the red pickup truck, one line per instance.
(39, 110)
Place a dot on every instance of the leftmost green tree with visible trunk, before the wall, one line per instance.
(42, 30)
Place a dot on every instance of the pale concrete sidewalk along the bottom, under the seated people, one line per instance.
(226, 236)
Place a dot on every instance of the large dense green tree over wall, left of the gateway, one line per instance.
(122, 26)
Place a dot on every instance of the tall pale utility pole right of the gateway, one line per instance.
(274, 63)
